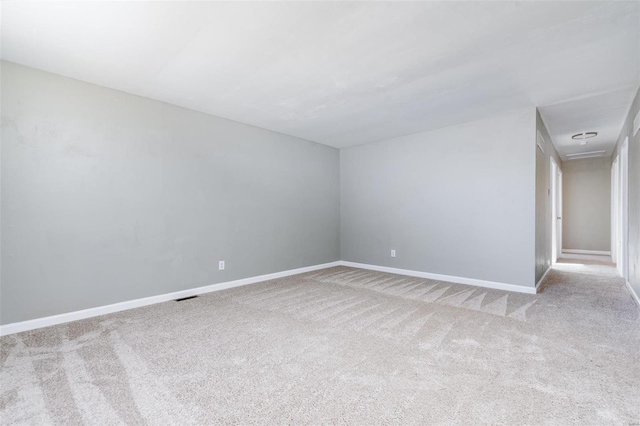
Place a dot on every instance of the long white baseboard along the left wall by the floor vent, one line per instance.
(18, 327)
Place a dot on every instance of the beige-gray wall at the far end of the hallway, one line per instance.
(586, 204)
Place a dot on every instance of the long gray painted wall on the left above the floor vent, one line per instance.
(108, 197)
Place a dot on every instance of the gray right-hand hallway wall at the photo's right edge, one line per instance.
(634, 192)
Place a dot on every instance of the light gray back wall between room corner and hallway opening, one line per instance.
(456, 201)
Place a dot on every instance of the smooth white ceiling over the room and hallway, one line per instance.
(348, 73)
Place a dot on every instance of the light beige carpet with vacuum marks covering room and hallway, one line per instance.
(341, 346)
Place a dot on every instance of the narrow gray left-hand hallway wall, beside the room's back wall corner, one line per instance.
(544, 218)
